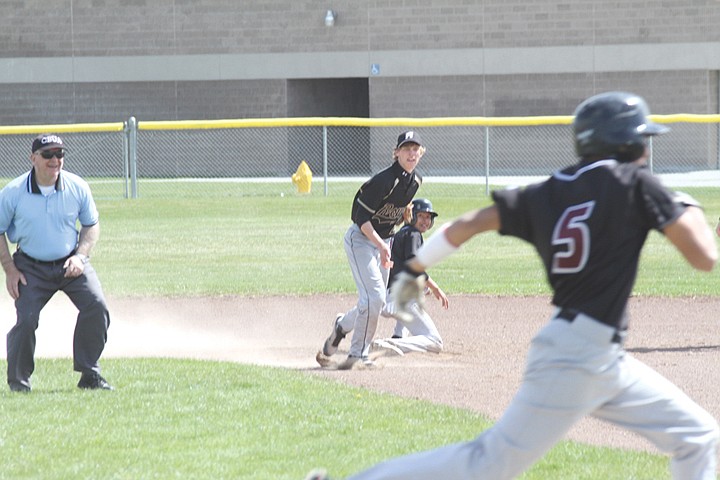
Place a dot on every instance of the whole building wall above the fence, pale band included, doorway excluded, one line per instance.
(70, 61)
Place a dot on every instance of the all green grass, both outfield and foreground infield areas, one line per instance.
(194, 419)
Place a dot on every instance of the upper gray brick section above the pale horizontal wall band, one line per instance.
(152, 27)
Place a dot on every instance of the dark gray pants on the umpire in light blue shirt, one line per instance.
(43, 281)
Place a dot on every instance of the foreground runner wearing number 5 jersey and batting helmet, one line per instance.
(588, 223)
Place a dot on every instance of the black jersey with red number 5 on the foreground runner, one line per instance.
(589, 222)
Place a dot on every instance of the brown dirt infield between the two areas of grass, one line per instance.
(486, 339)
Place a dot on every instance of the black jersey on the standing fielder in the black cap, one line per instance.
(383, 198)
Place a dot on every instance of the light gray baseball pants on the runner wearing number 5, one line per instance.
(573, 370)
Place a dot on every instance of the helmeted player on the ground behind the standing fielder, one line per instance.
(422, 334)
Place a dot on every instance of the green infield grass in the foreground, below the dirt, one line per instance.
(218, 420)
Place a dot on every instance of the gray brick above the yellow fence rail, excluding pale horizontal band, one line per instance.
(108, 28)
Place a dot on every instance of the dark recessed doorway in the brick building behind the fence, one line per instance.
(348, 151)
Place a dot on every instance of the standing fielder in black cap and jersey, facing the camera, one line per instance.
(378, 207)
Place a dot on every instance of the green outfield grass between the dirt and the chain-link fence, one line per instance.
(254, 244)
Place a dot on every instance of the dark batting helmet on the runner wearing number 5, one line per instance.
(613, 125)
